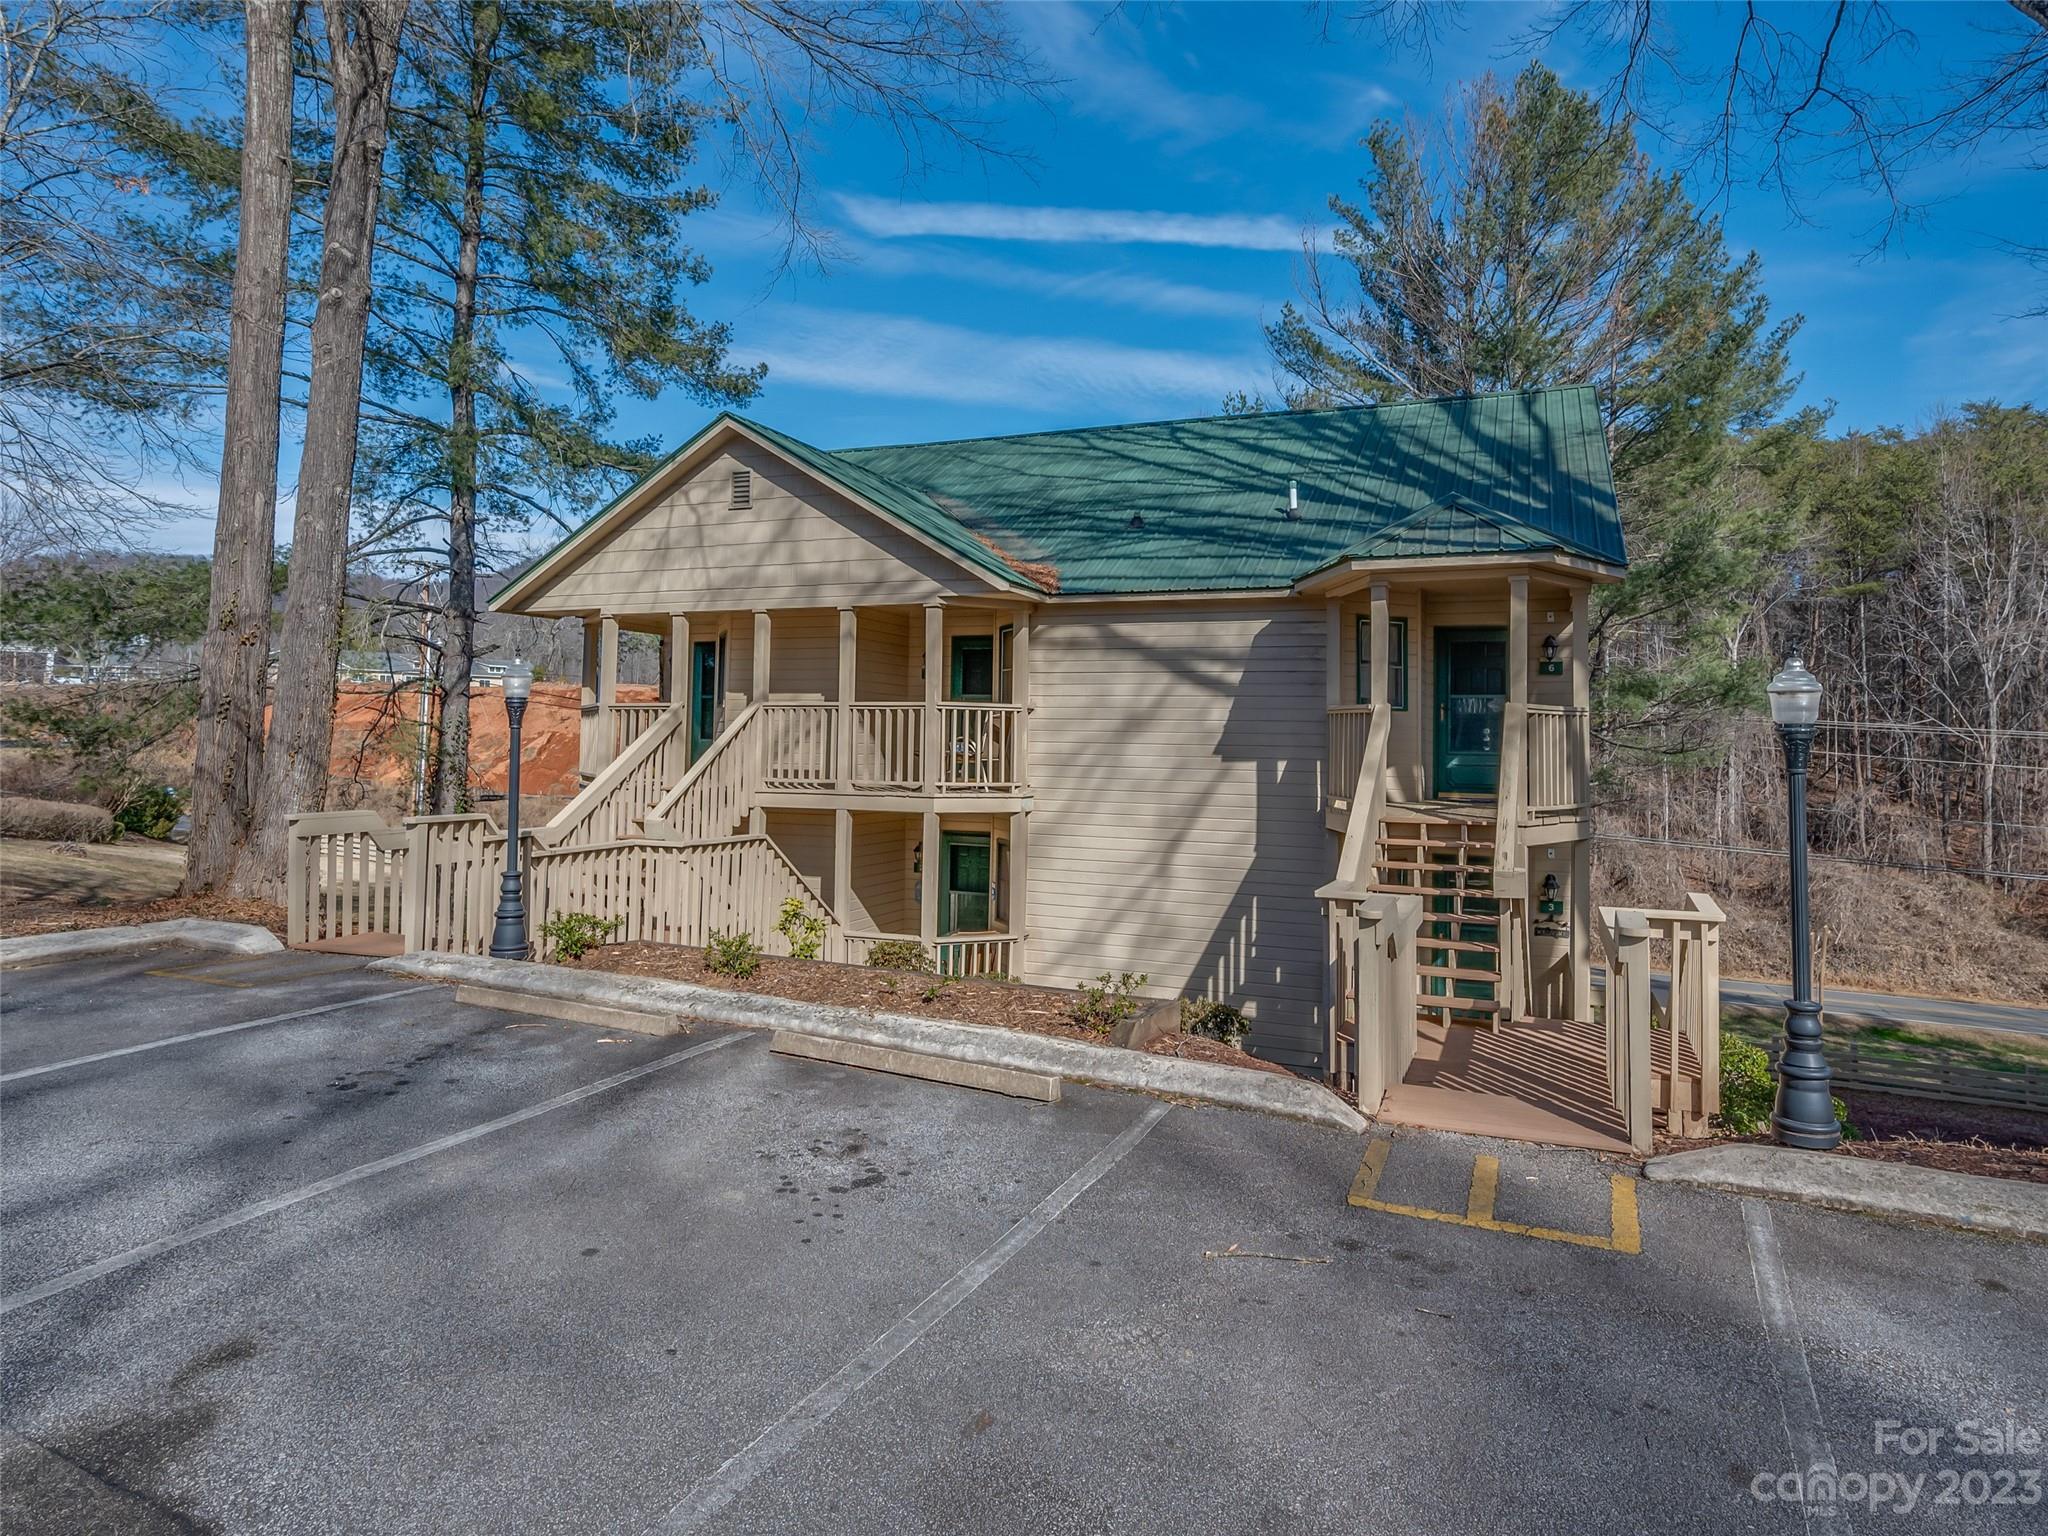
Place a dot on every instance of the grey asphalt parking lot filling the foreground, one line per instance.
(302, 1248)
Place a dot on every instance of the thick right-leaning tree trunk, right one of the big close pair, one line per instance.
(364, 52)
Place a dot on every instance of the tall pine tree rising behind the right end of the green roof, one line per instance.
(1533, 245)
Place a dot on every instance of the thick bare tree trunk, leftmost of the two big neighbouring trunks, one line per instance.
(234, 656)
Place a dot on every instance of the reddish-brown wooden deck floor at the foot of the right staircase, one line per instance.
(1539, 1080)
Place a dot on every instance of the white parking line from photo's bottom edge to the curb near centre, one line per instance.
(779, 1439)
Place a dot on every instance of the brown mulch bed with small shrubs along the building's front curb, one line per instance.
(1000, 1005)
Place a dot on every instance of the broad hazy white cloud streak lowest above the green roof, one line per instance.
(919, 359)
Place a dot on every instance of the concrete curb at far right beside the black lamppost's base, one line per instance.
(1961, 1201)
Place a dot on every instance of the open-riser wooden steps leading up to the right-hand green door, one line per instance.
(1447, 859)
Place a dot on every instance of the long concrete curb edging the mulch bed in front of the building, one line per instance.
(978, 1043)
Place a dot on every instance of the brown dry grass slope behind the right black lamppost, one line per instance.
(1934, 935)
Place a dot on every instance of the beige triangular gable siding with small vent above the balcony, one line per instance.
(798, 544)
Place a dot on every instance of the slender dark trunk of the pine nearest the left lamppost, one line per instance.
(460, 609)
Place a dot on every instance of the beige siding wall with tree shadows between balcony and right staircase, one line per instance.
(1177, 828)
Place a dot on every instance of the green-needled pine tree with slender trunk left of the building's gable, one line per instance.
(536, 212)
